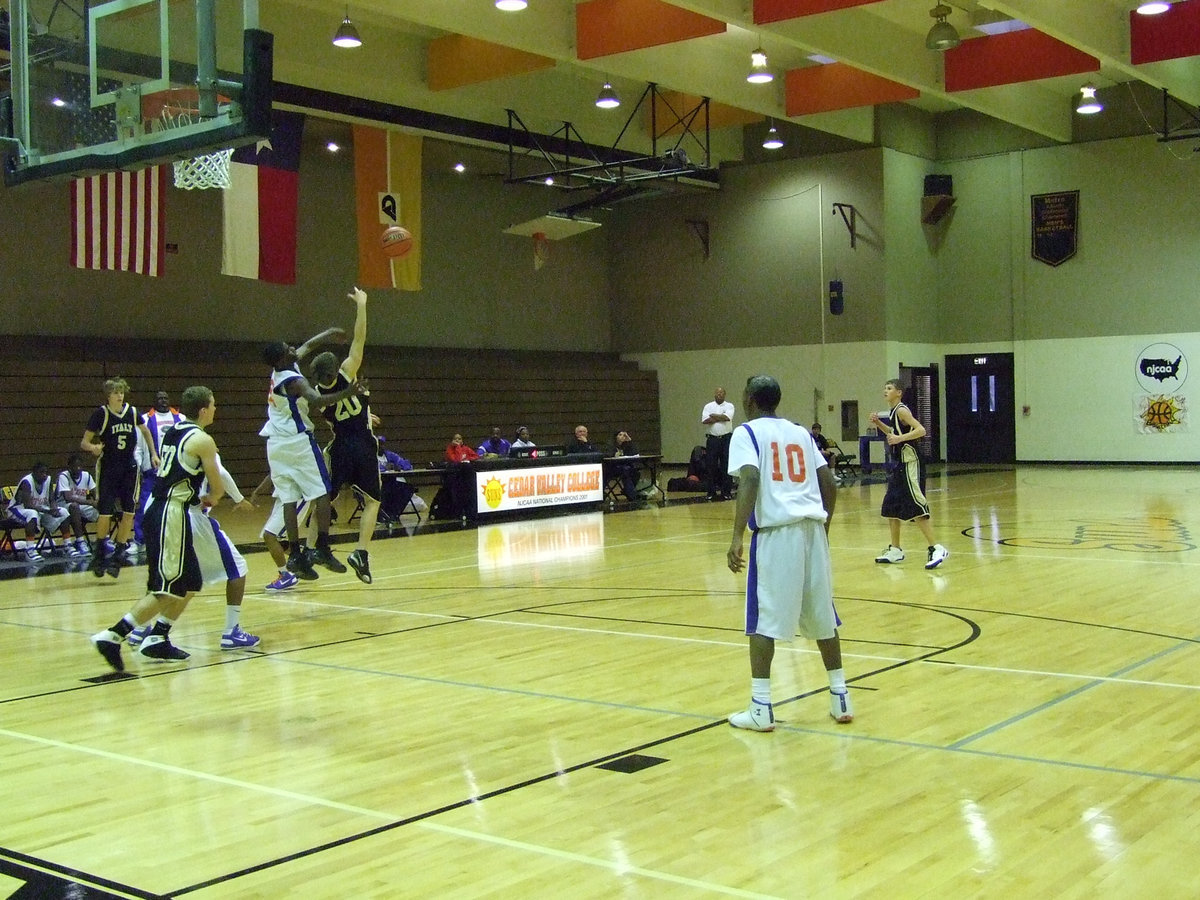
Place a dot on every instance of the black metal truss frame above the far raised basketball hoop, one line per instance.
(573, 164)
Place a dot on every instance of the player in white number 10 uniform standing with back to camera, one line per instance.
(787, 495)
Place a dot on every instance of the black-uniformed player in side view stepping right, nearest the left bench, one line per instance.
(189, 457)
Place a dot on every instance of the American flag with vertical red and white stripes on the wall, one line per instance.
(118, 221)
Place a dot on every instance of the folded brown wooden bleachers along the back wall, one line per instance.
(423, 395)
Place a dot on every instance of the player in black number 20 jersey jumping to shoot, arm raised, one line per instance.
(353, 457)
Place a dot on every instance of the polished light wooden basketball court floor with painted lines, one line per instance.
(537, 710)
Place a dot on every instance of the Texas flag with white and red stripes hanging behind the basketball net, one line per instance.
(261, 205)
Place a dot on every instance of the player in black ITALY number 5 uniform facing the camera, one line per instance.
(112, 437)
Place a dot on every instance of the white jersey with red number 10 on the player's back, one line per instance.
(788, 460)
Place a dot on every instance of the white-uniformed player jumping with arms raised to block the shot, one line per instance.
(297, 464)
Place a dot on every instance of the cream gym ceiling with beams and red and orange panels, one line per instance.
(455, 58)
